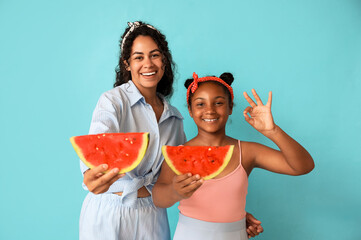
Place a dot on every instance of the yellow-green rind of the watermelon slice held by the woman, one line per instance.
(141, 153)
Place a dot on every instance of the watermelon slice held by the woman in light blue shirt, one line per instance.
(118, 150)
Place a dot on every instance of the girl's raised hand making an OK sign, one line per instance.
(260, 115)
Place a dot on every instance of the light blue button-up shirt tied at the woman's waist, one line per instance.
(123, 109)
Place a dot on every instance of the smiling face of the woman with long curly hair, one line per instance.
(145, 64)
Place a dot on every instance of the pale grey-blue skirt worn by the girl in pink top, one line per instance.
(194, 229)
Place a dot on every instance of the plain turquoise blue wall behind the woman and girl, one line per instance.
(57, 57)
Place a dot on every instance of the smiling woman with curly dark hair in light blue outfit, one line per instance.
(121, 206)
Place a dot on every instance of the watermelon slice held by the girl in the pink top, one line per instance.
(207, 161)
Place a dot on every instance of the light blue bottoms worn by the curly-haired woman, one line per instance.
(104, 218)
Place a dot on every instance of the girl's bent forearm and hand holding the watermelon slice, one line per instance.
(171, 188)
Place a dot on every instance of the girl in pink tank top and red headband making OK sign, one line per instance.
(210, 102)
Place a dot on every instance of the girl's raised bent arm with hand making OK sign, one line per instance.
(291, 159)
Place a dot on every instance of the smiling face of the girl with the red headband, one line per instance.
(210, 107)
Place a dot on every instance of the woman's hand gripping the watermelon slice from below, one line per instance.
(99, 182)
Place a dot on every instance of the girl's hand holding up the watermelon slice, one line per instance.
(185, 185)
